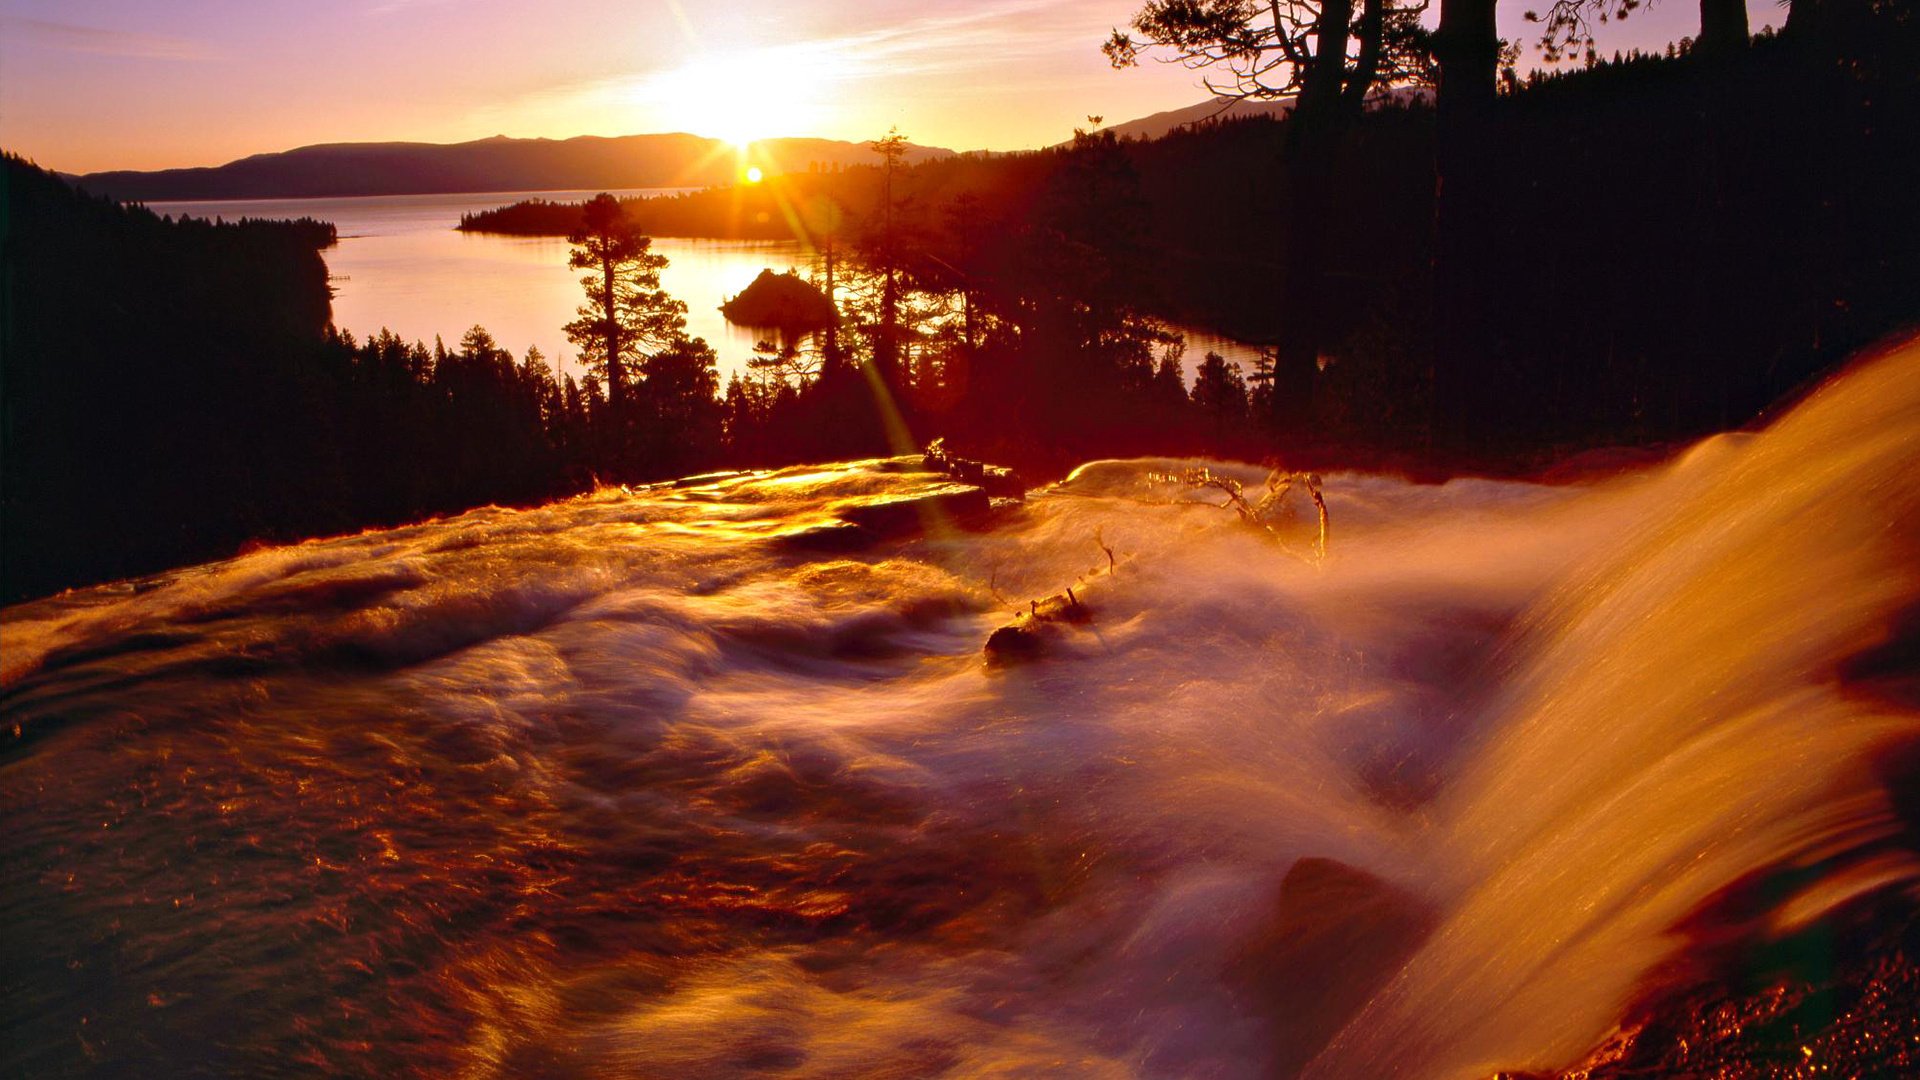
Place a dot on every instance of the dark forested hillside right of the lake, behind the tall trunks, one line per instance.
(1666, 245)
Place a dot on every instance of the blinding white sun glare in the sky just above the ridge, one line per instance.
(742, 97)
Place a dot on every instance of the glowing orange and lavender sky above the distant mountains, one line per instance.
(164, 84)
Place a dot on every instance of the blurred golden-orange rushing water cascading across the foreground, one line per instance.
(692, 781)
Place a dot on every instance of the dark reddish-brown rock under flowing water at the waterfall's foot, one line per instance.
(1337, 935)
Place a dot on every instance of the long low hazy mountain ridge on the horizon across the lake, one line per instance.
(496, 164)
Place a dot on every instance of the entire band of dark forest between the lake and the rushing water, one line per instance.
(1654, 247)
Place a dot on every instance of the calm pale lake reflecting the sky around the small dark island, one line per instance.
(400, 264)
